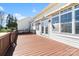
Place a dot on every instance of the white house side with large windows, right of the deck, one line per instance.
(65, 31)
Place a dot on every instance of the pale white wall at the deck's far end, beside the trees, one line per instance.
(24, 24)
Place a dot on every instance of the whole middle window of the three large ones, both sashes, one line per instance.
(66, 22)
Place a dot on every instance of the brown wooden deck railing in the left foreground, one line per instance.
(6, 41)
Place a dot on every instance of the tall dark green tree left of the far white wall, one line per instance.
(11, 22)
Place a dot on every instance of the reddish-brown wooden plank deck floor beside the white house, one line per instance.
(33, 45)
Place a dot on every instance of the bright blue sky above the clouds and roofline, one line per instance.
(21, 10)
